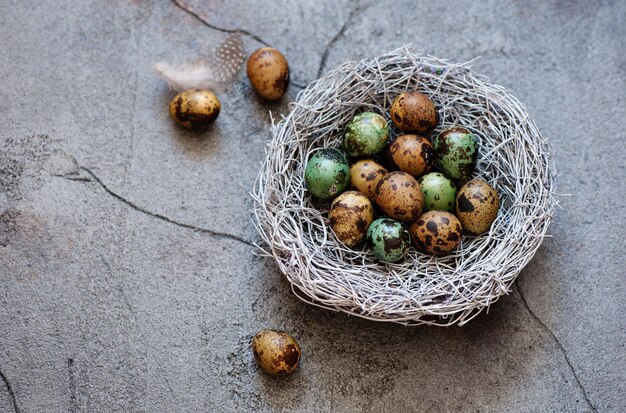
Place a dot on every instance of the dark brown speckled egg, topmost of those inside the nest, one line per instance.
(414, 112)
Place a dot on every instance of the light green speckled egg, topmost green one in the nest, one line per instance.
(366, 134)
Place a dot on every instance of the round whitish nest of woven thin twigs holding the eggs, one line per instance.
(421, 289)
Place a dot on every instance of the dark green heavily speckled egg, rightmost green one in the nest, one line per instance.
(457, 150)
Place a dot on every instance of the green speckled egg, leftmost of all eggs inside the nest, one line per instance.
(327, 173)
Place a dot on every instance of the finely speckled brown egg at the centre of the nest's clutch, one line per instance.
(400, 197)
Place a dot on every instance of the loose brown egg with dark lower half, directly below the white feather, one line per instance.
(195, 108)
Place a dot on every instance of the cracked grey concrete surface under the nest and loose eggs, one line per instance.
(119, 292)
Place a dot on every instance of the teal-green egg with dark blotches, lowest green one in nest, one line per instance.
(389, 240)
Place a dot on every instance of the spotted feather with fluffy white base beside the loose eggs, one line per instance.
(212, 73)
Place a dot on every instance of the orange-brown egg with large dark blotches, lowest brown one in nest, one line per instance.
(436, 232)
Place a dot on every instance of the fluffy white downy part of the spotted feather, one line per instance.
(188, 76)
